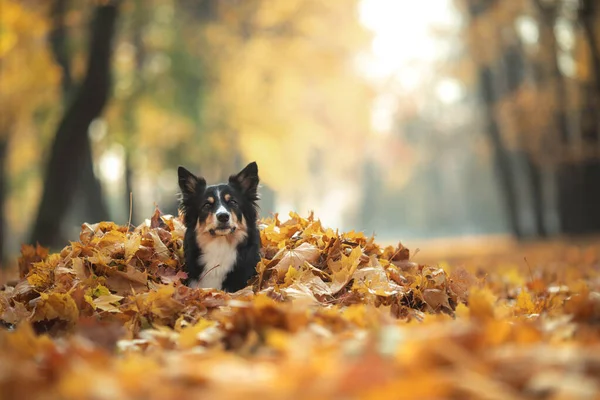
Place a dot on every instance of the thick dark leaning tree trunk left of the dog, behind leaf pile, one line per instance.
(69, 153)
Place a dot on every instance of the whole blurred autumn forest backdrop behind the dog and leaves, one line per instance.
(412, 120)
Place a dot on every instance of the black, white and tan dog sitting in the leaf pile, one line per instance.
(222, 242)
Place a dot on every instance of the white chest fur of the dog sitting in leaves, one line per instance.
(218, 257)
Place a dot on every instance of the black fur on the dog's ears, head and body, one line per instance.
(242, 188)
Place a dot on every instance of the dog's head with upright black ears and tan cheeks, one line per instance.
(223, 210)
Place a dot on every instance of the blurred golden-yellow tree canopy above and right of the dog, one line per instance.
(286, 89)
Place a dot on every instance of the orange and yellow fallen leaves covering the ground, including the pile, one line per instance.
(330, 315)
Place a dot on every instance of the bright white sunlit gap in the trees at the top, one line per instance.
(404, 50)
